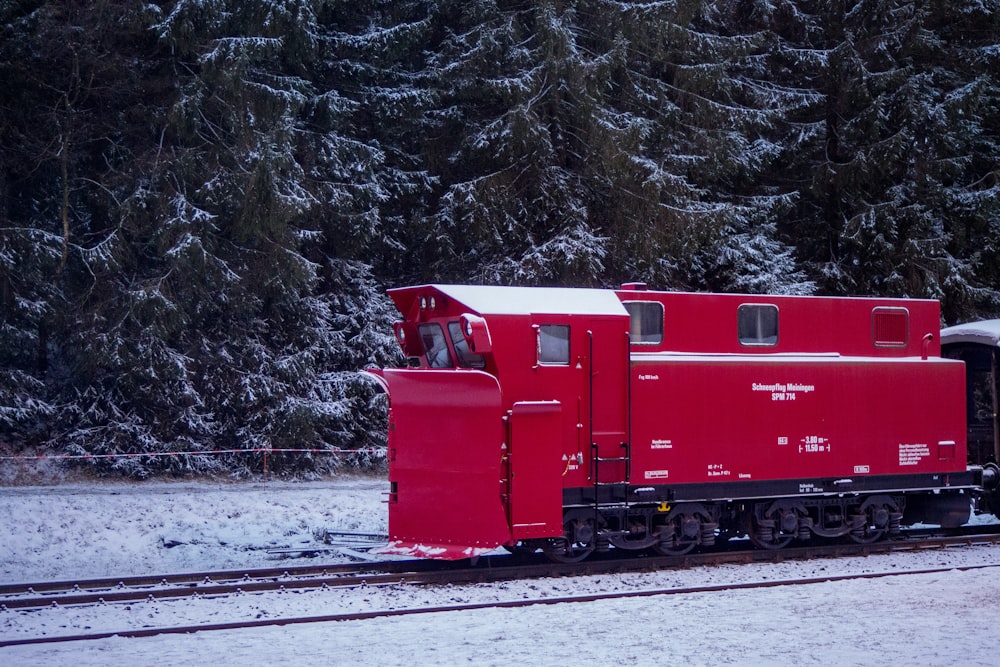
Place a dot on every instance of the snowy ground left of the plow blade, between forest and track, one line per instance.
(96, 530)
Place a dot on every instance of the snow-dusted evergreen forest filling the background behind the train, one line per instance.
(202, 202)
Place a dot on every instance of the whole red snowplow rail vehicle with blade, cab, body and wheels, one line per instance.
(578, 420)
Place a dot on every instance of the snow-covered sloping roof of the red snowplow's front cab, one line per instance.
(496, 300)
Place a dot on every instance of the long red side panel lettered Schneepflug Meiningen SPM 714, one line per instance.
(731, 419)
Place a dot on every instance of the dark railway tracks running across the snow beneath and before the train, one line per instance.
(25, 597)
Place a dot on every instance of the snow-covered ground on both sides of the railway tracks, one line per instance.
(102, 529)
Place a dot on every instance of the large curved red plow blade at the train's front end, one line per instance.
(445, 446)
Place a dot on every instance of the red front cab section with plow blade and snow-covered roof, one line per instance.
(511, 394)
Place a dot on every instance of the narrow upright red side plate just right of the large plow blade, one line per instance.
(537, 464)
